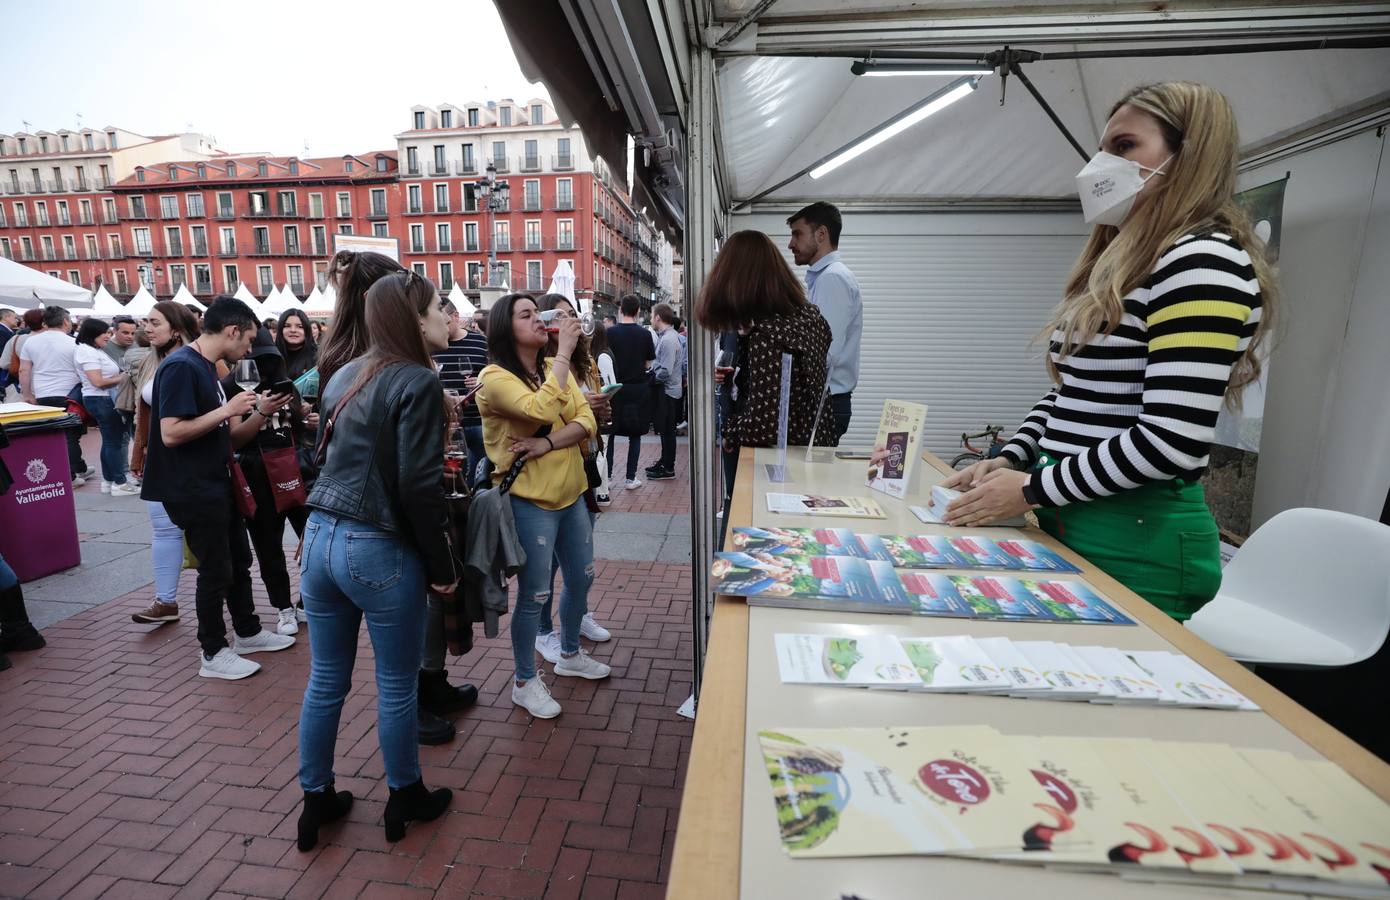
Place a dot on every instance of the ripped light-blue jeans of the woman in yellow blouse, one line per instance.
(562, 535)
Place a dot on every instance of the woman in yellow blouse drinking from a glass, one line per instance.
(522, 394)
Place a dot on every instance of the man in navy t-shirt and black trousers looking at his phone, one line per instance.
(193, 432)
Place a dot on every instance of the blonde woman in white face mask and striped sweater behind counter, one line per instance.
(1163, 323)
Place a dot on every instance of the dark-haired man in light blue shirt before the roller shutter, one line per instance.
(815, 241)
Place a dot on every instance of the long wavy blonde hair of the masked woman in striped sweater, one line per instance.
(1196, 194)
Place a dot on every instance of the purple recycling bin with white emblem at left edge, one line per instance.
(38, 517)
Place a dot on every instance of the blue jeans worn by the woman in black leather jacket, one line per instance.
(351, 570)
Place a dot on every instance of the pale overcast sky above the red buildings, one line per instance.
(263, 76)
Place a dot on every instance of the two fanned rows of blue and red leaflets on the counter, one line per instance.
(840, 571)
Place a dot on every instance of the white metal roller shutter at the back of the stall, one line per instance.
(953, 304)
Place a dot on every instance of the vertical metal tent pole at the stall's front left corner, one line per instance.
(703, 209)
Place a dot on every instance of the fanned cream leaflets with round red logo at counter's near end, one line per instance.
(1157, 812)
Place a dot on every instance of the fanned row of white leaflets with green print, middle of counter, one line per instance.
(999, 666)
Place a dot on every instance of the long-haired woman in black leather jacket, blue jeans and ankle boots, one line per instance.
(376, 539)
